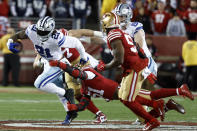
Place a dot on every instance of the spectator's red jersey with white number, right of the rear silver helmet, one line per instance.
(160, 20)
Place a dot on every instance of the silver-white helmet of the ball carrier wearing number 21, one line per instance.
(45, 27)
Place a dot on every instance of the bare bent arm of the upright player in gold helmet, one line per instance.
(118, 53)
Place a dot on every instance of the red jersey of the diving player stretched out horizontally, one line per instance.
(99, 86)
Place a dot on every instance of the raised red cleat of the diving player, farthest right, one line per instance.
(185, 92)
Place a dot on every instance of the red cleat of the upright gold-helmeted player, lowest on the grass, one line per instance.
(151, 125)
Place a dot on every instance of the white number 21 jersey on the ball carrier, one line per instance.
(52, 48)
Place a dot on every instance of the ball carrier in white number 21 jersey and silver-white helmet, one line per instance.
(49, 43)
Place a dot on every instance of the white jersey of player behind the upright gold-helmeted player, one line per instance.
(131, 29)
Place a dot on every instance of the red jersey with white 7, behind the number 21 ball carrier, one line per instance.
(70, 53)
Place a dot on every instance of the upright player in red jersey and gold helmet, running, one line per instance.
(133, 61)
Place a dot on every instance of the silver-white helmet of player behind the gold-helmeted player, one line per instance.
(125, 11)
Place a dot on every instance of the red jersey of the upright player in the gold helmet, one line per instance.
(132, 60)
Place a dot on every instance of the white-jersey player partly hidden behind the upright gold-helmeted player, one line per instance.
(135, 30)
